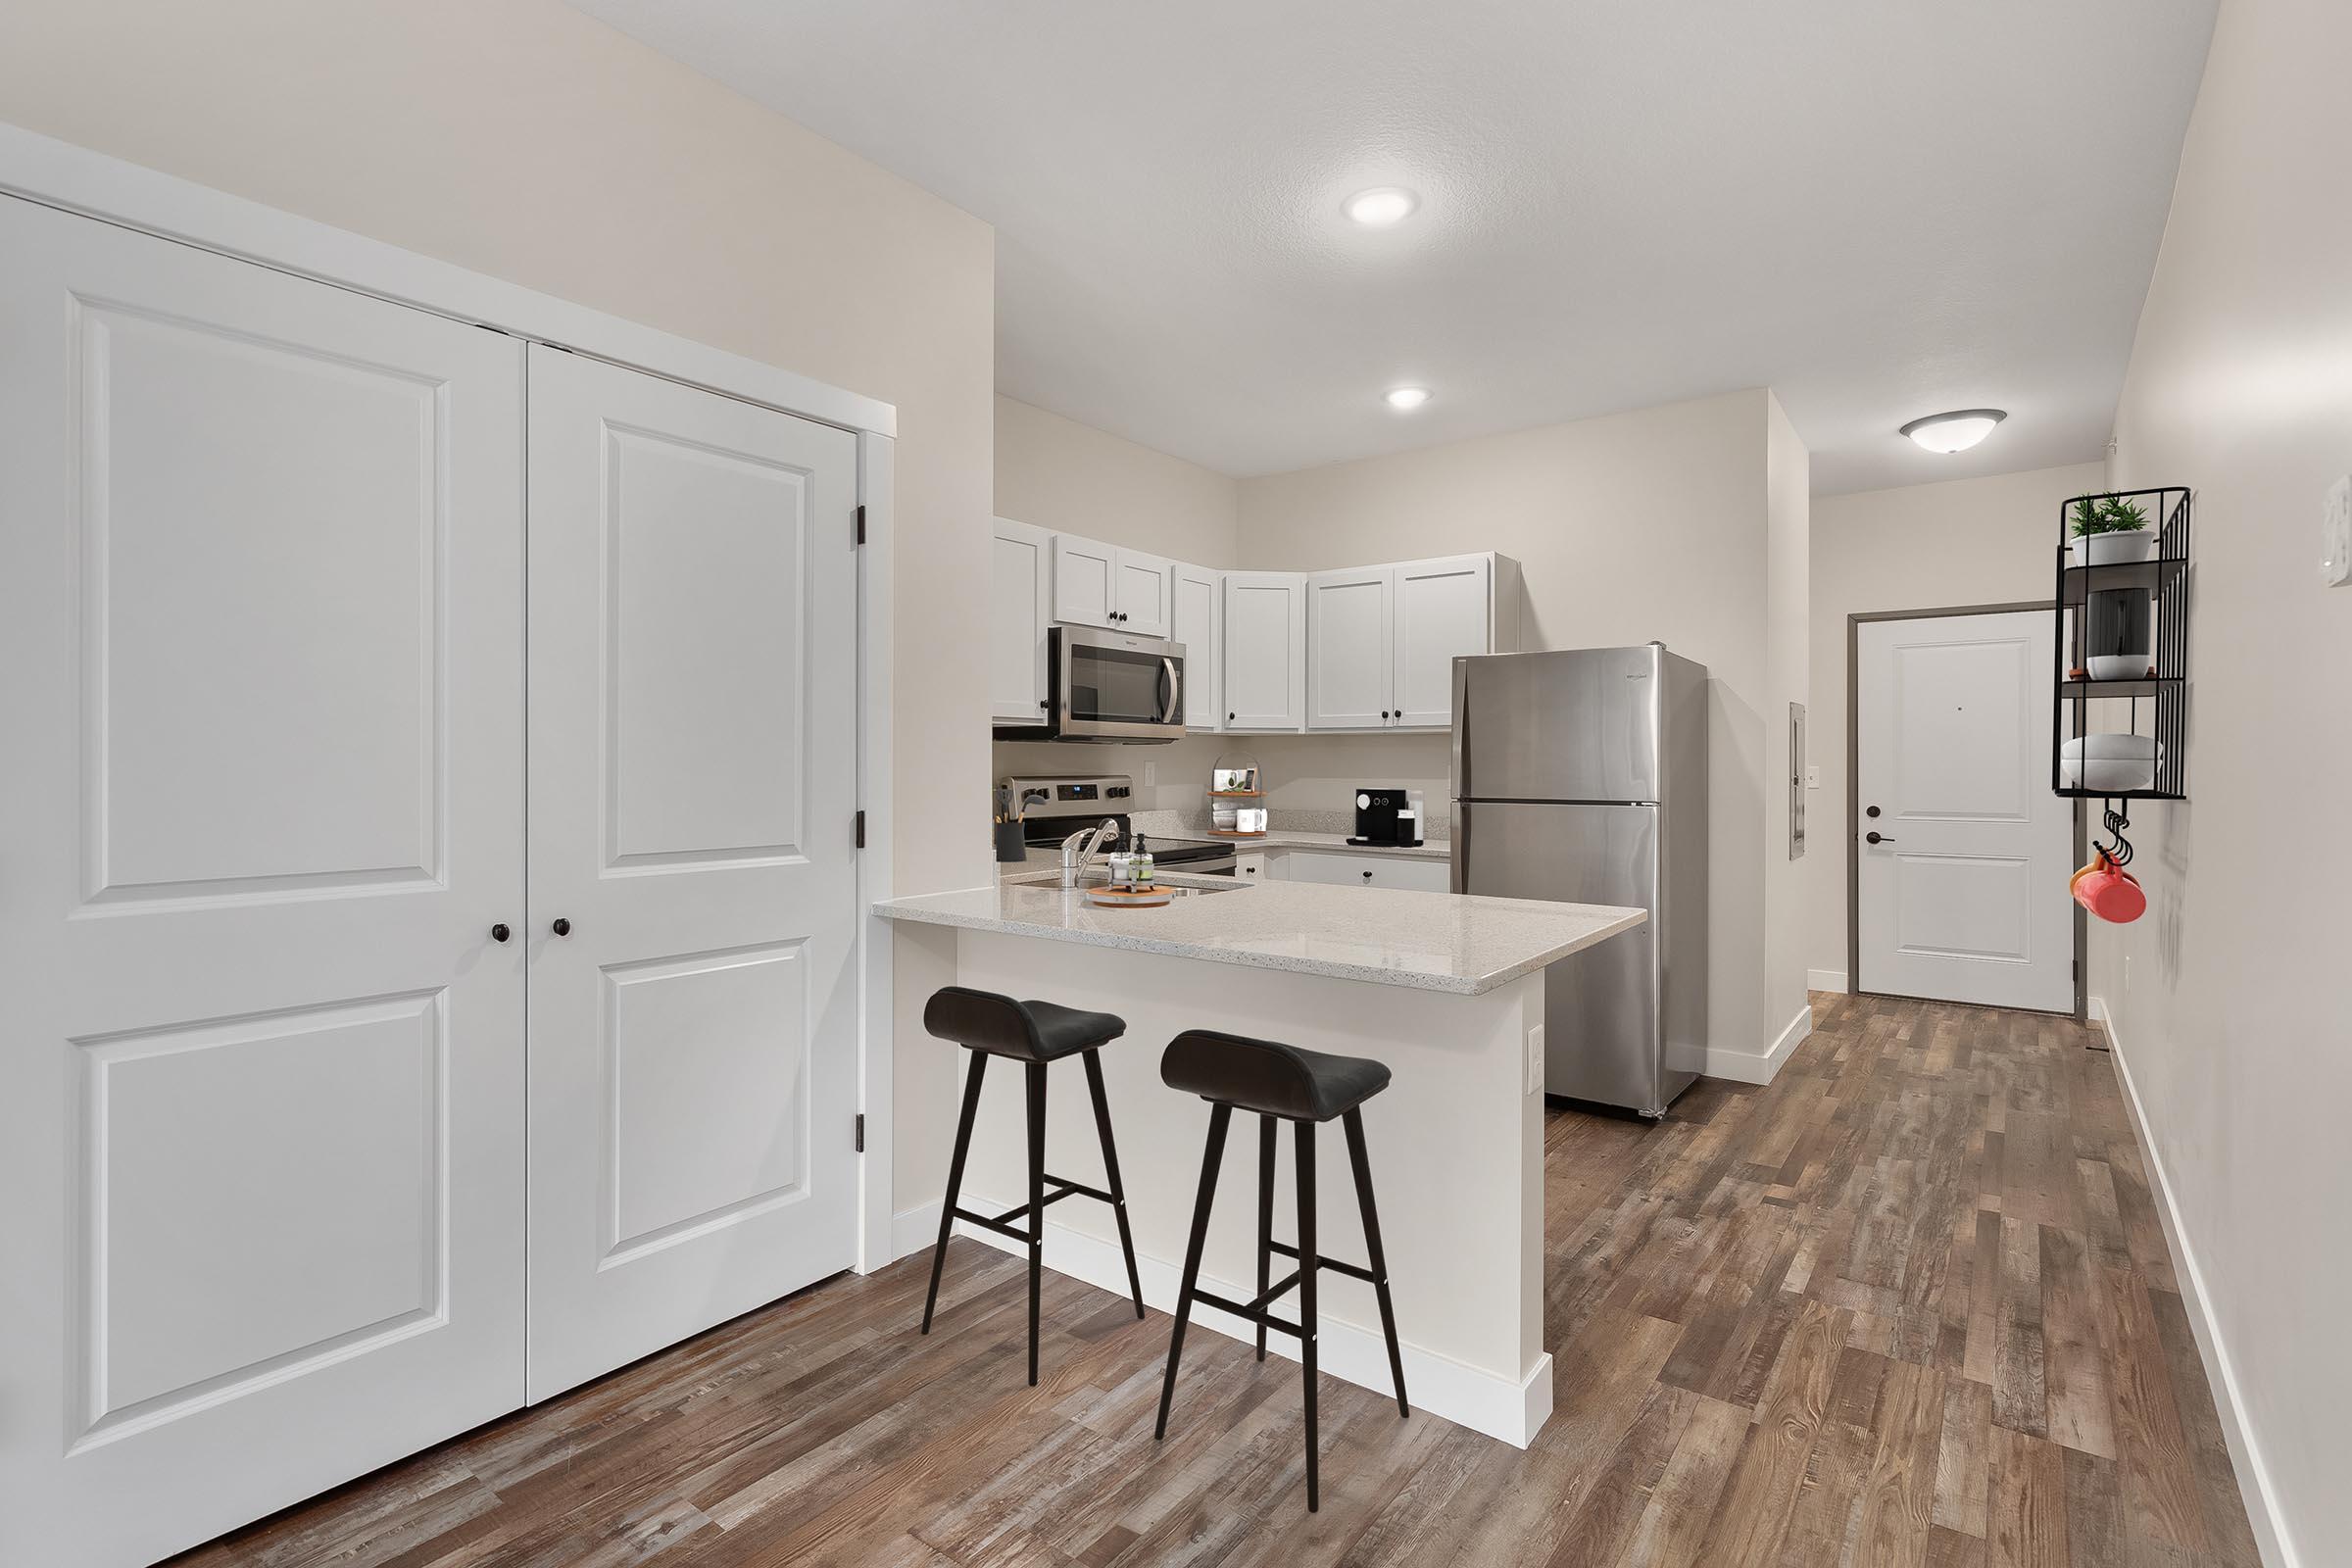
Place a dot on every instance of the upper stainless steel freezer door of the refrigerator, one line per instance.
(1575, 725)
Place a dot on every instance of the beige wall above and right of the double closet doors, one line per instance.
(523, 140)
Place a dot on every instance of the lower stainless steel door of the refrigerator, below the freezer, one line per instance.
(1601, 1012)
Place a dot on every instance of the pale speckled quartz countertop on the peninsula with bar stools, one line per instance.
(1424, 942)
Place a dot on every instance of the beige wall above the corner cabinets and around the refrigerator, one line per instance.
(1629, 528)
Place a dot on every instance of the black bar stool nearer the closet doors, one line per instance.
(1031, 1033)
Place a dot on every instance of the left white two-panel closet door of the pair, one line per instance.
(260, 1083)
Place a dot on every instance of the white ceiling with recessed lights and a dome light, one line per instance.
(1880, 208)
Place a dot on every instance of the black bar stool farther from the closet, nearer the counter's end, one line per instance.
(1304, 1090)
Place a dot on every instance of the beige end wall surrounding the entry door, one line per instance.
(1920, 547)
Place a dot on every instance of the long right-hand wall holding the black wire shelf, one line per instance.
(2233, 1017)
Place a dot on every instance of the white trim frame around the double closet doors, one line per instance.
(109, 189)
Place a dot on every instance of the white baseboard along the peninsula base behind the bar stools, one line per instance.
(1509, 1409)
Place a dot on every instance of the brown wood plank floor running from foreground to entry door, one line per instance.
(1906, 1308)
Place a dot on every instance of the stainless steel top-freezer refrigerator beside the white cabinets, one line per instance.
(1584, 777)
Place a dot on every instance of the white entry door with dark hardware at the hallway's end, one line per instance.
(1965, 892)
